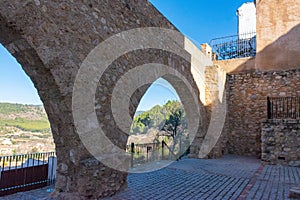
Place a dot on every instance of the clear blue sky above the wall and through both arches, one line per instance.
(200, 20)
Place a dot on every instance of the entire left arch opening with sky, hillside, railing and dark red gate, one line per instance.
(26, 139)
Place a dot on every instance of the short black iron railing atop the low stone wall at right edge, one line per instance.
(283, 107)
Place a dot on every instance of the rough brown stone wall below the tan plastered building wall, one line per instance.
(247, 103)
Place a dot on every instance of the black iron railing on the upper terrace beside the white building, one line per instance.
(236, 46)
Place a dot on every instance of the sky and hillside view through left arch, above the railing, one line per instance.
(24, 124)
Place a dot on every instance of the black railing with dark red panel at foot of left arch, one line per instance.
(19, 173)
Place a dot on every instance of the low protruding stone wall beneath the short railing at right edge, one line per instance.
(281, 142)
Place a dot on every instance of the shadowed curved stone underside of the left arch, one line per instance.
(41, 77)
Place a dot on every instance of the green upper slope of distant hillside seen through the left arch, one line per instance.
(25, 117)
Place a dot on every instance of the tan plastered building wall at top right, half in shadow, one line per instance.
(278, 34)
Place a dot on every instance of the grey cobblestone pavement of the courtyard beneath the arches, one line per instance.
(231, 177)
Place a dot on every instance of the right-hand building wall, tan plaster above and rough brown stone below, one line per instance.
(273, 72)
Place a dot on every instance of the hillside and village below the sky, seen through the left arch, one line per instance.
(24, 129)
